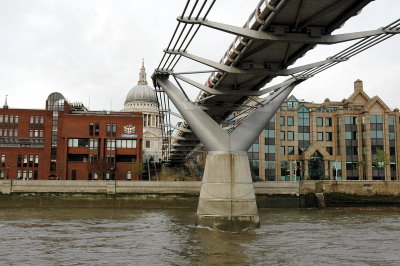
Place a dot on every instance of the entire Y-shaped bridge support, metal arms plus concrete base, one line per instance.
(227, 199)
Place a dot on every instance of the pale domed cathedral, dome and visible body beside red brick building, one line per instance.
(142, 98)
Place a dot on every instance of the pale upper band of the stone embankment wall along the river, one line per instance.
(362, 188)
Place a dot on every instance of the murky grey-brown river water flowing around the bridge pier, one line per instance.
(129, 236)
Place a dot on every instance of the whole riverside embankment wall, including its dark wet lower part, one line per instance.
(277, 194)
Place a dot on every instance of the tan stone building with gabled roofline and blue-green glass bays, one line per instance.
(357, 138)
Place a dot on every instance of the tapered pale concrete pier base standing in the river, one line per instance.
(227, 200)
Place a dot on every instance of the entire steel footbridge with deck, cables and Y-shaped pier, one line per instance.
(237, 100)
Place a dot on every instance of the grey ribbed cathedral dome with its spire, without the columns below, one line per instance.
(141, 92)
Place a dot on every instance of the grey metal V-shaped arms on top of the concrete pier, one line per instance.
(210, 132)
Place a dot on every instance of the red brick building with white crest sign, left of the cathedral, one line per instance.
(67, 142)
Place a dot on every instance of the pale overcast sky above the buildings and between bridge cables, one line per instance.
(92, 49)
